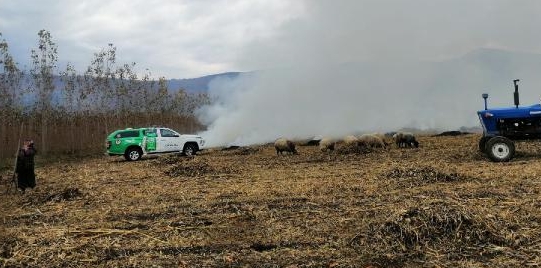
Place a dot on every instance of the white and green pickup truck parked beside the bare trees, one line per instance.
(134, 143)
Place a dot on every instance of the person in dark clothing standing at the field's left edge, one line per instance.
(26, 178)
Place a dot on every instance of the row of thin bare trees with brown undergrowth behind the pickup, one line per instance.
(70, 112)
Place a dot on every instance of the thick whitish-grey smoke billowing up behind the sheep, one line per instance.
(360, 66)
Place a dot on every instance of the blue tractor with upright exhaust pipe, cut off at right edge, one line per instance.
(503, 126)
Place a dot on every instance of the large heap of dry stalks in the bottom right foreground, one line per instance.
(440, 228)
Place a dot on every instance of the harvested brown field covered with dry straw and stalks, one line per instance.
(441, 205)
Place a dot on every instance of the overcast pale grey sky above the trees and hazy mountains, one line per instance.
(181, 39)
